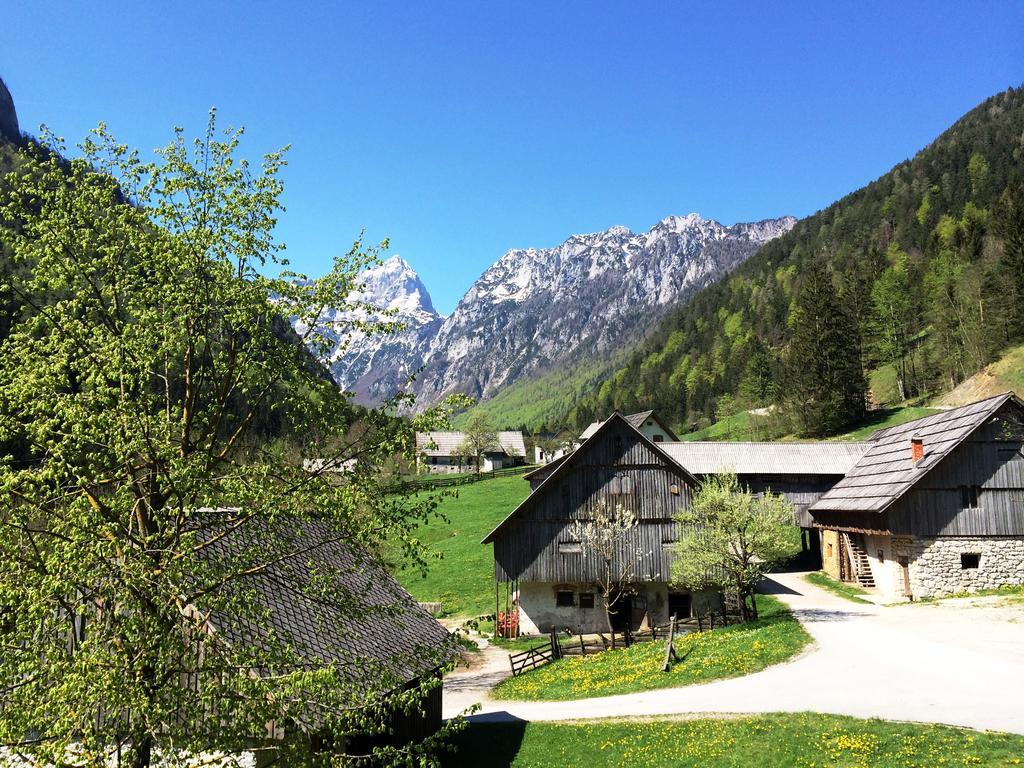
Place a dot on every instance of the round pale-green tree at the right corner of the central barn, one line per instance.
(732, 538)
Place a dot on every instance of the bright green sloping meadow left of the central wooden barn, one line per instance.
(463, 578)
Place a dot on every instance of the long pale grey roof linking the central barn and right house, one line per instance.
(703, 458)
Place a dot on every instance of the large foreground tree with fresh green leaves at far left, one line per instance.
(146, 357)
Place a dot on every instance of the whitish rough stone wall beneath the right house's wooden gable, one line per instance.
(937, 569)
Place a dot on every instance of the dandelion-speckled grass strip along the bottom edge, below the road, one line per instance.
(797, 741)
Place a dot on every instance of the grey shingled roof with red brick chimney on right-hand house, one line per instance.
(887, 471)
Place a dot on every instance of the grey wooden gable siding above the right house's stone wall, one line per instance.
(993, 460)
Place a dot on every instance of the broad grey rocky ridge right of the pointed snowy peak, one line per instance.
(535, 310)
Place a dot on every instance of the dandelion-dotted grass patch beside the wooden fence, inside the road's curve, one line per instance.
(739, 650)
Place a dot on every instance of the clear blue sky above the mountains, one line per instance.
(460, 131)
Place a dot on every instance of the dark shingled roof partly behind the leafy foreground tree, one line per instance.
(359, 617)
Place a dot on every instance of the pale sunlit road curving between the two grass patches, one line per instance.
(959, 663)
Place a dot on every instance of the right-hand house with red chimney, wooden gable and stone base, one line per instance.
(934, 506)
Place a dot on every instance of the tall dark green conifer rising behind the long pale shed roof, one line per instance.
(825, 383)
